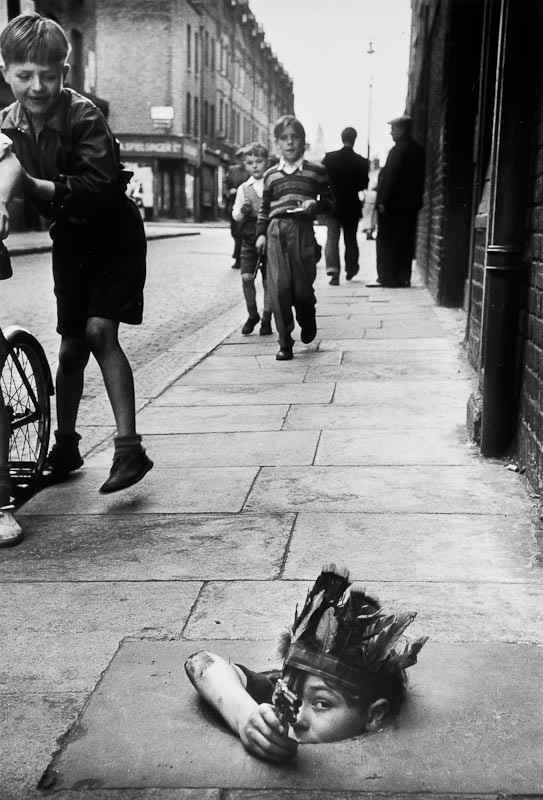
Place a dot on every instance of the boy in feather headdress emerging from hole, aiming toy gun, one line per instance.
(344, 662)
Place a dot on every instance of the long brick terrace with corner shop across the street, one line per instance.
(185, 83)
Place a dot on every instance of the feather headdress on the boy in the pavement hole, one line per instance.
(343, 634)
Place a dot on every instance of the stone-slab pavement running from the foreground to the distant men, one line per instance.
(354, 452)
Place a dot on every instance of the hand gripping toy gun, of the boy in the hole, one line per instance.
(263, 735)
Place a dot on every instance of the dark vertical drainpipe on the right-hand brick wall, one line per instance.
(505, 272)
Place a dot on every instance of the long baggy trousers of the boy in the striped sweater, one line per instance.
(291, 271)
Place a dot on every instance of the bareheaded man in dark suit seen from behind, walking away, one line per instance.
(348, 173)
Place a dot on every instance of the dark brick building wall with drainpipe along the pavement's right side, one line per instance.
(475, 92)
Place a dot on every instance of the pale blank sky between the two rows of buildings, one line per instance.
(323, 46)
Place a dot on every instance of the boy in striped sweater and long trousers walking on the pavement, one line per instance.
(295, 190)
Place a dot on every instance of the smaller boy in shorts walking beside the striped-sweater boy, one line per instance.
(245, 212)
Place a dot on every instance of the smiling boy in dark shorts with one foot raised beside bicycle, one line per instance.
(73, 174)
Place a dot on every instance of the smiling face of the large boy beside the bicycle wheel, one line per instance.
(35, 86)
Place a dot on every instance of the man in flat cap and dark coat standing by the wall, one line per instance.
(399, 198)
